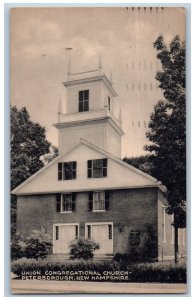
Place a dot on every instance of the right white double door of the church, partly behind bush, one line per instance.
(102, 234)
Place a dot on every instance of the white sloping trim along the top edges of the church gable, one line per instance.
(151, 181)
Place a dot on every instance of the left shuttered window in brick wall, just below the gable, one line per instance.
(66, 202)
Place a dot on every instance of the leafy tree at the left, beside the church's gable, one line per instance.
(28, 146)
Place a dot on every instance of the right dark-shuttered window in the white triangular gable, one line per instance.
(97, 168)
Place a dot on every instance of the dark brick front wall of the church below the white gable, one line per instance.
(135, 209)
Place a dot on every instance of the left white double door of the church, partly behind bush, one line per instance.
(63, 235)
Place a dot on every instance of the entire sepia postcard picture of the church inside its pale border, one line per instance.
(98, 150)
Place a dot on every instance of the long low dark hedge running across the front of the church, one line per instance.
(142, 272)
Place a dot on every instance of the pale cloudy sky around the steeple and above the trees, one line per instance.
(122, 37)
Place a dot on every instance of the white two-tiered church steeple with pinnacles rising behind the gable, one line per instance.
(90, 112)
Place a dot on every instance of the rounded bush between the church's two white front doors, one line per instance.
(83, 249)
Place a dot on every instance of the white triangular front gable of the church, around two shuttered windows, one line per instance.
(120, 174)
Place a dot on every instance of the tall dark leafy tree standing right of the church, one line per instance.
(168, 130)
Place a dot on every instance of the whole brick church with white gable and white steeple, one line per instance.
(87, 191)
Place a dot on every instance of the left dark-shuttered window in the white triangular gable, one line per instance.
(67, 170)
